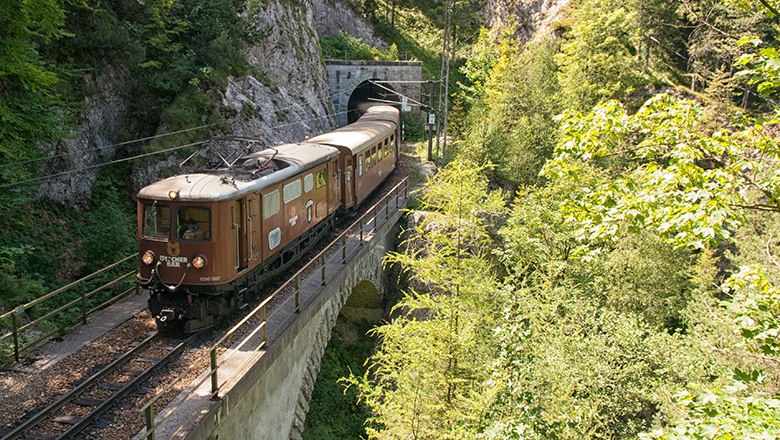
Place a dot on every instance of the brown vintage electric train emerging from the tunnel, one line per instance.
(210, 237)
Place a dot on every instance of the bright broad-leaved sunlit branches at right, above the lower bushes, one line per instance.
(671, 175)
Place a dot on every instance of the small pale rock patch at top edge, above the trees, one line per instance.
(535, 18)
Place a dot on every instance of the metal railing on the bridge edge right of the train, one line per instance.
(280, 309)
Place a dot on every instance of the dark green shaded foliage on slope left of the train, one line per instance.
(165, 56)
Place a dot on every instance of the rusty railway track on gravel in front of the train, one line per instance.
(72, 412)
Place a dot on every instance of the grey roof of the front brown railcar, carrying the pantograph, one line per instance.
(252, 172)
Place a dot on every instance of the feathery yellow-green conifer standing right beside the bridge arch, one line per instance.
(427, 378)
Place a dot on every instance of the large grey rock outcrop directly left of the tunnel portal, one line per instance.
(288, 100)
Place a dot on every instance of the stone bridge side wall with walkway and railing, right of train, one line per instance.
(260, 385)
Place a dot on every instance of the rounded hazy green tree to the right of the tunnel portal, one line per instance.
(511, 124)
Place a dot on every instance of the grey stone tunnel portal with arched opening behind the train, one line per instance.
(349, 82)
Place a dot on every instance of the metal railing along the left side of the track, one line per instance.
(14, 318)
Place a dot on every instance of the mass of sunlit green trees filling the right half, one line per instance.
(626, 286)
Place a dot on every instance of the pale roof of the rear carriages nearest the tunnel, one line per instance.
(378, 121)
